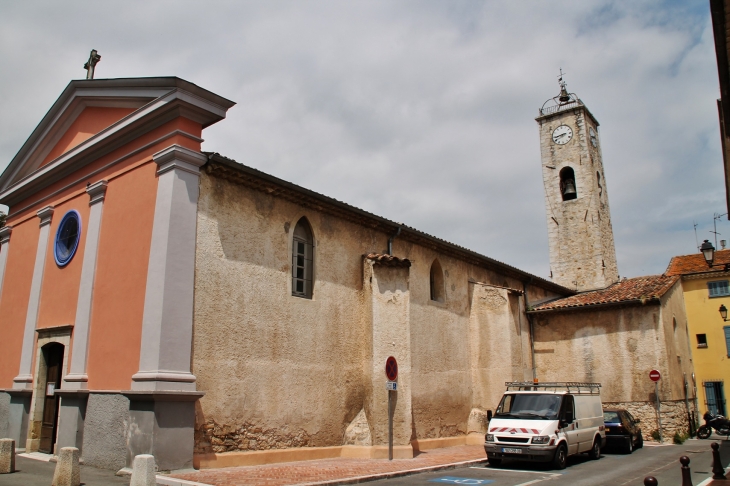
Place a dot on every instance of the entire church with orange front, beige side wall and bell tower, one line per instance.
(158, 299)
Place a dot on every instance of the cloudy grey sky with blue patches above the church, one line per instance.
(421, 112)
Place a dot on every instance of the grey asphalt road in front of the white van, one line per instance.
(613, 469)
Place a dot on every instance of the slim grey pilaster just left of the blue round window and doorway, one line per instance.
(24, 378)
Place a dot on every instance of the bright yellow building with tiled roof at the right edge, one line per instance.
(705, 289)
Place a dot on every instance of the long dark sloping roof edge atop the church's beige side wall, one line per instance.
(226, 168)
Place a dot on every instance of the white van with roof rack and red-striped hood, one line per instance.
(546, 422)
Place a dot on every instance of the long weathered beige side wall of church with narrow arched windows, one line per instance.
(280, 371)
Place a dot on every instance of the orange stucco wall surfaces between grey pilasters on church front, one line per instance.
(120, 281)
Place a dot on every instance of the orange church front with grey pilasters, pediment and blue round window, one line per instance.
(124, 155)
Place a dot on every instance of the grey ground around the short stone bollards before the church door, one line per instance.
(31, 472)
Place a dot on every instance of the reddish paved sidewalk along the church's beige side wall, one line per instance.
(334, 471)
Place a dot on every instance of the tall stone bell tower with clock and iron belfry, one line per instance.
(582, 252)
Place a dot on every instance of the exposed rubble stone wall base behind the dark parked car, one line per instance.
(673, 414)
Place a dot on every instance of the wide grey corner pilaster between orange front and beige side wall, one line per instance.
(167, 322)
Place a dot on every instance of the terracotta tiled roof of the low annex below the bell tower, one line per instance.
(632, 291)
